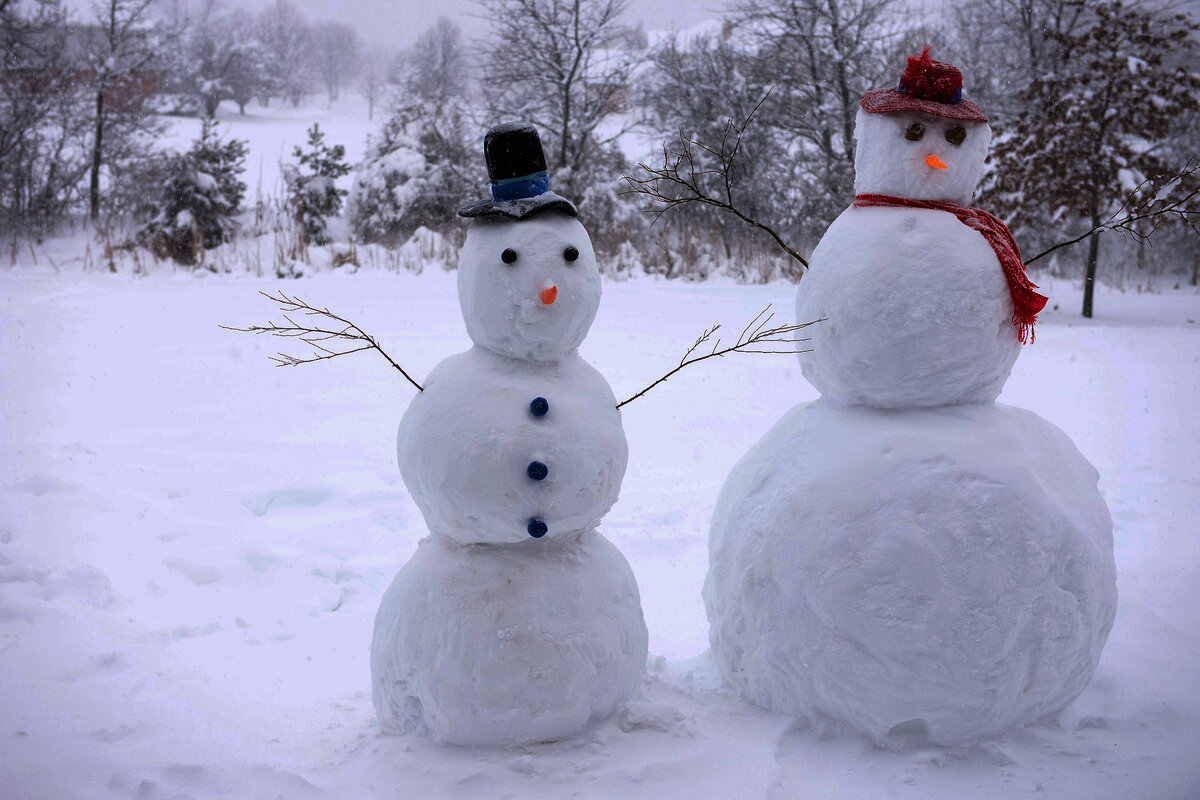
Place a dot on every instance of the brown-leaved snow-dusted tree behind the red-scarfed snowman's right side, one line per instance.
(1094, 129)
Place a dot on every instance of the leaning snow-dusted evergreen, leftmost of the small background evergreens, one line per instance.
(202, 194)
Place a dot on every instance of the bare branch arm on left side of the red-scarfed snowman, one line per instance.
(681, 171)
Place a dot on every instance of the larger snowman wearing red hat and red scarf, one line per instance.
(904, 555)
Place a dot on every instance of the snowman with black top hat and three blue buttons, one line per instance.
(515, 622)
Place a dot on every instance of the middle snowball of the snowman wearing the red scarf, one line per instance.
(917, 311)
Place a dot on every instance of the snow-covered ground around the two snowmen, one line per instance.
(194, 545)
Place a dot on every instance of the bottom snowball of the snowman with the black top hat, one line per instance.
(478, 645)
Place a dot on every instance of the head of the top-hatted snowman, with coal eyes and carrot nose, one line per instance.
(506, 270)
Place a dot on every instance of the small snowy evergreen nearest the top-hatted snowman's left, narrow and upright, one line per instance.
(313, 193)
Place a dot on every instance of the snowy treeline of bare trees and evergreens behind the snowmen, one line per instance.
(1090, 101)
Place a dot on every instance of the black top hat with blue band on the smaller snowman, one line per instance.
(517, 172)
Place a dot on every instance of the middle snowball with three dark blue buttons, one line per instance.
(466, 446)
